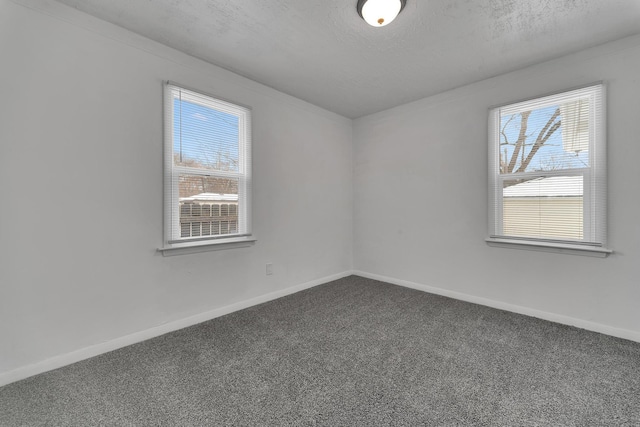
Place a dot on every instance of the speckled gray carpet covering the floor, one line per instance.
(354, 352)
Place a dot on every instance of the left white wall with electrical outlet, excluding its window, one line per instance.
(81, 193)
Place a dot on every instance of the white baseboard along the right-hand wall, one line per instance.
(532, 312)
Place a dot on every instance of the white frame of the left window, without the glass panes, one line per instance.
(174, 244)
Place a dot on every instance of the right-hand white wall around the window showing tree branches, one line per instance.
(420, 198)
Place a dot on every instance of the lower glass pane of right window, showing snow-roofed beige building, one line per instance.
(544, 207)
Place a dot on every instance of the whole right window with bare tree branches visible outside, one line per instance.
(547, 176)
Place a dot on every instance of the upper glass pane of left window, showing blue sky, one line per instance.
(204, 137)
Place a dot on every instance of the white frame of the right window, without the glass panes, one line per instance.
(594, 178)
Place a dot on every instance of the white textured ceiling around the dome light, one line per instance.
(323, 52)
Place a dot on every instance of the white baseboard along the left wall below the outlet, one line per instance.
(104, 347)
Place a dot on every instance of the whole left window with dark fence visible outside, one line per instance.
(207, 170)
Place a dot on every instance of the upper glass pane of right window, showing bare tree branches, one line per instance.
(545, 139)
